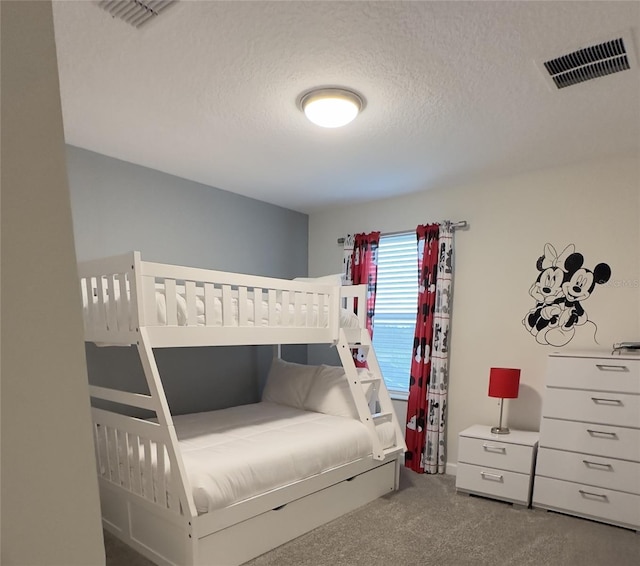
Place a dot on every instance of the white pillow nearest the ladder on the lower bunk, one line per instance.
(330, 392)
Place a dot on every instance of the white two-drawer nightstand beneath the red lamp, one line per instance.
(499, 466)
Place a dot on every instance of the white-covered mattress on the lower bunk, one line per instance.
(236, 453)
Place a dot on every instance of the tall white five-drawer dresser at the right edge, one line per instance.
(589, 454)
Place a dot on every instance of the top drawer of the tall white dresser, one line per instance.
(597, 374)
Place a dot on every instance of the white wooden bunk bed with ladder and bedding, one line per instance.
(168, 487)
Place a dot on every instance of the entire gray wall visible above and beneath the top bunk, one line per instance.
(119, 207)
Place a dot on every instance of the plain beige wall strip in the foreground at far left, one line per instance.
(50, 507)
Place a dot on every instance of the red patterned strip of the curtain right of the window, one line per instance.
(417, 406)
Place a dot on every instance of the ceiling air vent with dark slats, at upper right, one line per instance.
(590, 62)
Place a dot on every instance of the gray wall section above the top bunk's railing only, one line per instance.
(119, 207)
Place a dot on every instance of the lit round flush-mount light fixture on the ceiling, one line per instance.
(331, 107)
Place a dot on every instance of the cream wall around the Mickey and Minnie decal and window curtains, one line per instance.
(595, 206)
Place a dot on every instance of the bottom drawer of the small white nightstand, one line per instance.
(508, 486)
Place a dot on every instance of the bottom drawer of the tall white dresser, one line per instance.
(586, 501)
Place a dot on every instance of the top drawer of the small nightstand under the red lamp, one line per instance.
(495, 454)
